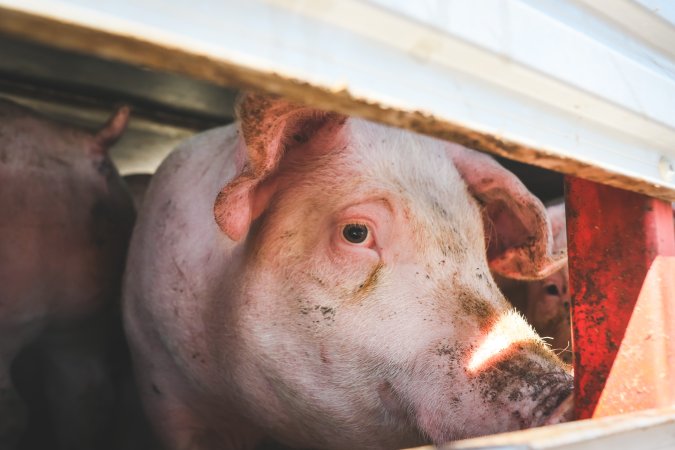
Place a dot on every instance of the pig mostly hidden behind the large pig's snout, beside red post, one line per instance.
(546, 303)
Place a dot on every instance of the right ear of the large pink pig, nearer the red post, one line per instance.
(518, 232)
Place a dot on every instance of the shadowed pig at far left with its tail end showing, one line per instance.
(66, 222)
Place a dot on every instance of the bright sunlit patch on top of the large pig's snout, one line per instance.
(509, 329)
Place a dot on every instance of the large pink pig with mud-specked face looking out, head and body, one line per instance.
(323, 282)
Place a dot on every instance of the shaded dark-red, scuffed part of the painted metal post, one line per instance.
(613, 238)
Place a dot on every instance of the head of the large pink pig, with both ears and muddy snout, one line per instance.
(367, 314)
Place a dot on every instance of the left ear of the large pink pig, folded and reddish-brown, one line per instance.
(268, 126)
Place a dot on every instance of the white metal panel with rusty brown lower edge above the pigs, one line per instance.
(566, 85)
